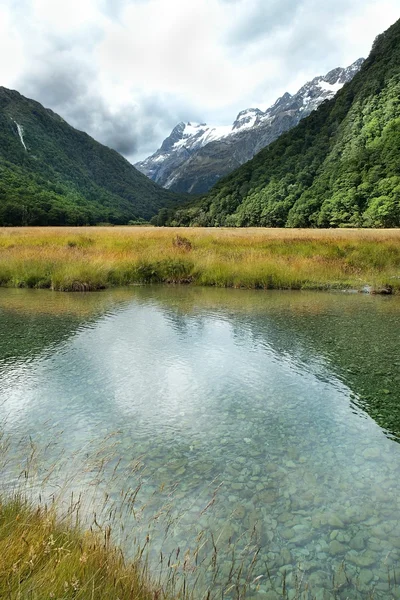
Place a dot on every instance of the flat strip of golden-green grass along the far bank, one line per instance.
(88, 258)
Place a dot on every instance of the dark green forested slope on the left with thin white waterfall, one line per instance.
(64, 177)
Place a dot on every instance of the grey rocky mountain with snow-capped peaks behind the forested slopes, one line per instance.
(194, 156)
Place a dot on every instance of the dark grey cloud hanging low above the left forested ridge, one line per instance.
(68, 86)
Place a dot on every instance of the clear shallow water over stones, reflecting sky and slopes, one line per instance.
(245, 410)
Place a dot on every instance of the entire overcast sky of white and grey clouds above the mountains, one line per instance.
(127, 71)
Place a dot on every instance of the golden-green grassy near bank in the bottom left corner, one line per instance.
(43, 558)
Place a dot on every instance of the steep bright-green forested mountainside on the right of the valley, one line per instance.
(338, 167)
